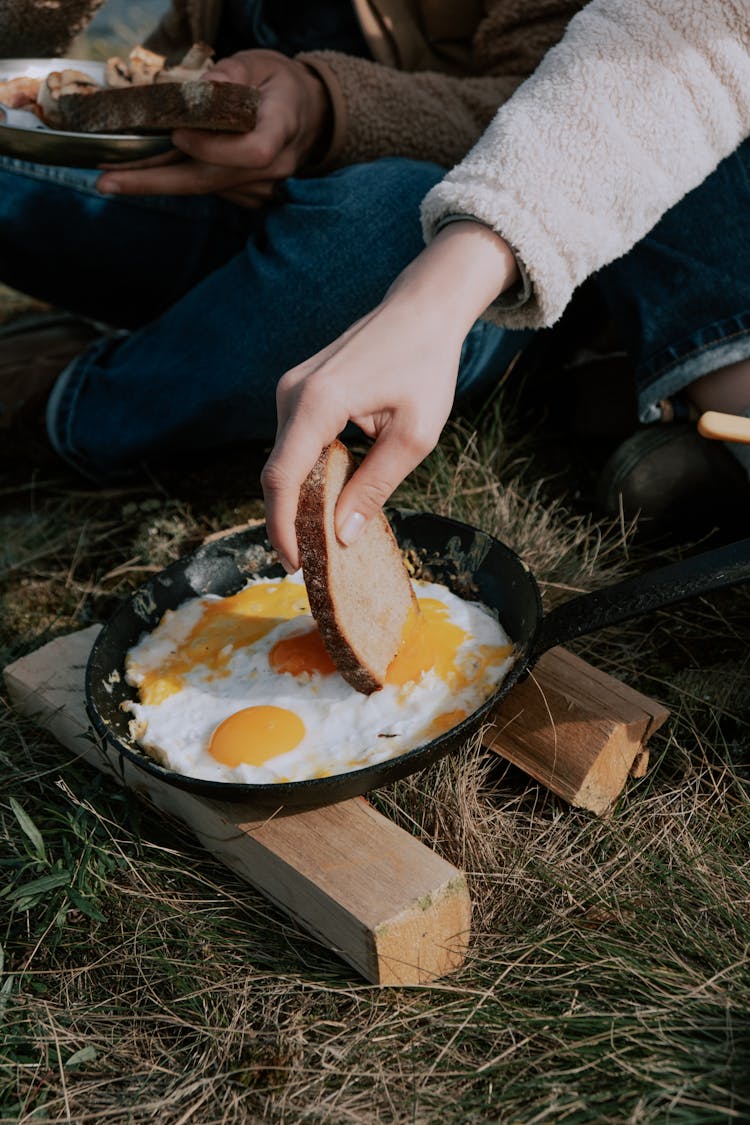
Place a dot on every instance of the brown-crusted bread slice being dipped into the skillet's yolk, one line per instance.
(362, 597)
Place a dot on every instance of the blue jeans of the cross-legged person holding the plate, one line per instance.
(219, 302)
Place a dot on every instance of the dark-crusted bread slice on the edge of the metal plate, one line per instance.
(222, 106)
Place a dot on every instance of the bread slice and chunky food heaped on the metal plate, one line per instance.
(141, 95)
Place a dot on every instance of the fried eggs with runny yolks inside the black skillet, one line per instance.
(241, 689)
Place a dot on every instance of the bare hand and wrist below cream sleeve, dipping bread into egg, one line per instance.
(393, 374)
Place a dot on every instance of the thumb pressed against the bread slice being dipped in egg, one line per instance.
(393, 457)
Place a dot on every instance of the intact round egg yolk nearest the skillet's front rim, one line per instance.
(256, 735)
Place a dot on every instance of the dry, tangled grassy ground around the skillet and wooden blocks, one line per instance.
(608, 979)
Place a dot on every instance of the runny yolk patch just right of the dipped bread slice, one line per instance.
(431, 641)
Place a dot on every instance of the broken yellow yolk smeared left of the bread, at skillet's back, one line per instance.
(225, 626)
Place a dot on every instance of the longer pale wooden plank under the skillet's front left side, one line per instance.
(385, 903)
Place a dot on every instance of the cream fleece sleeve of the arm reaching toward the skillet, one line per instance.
(632, 110)
